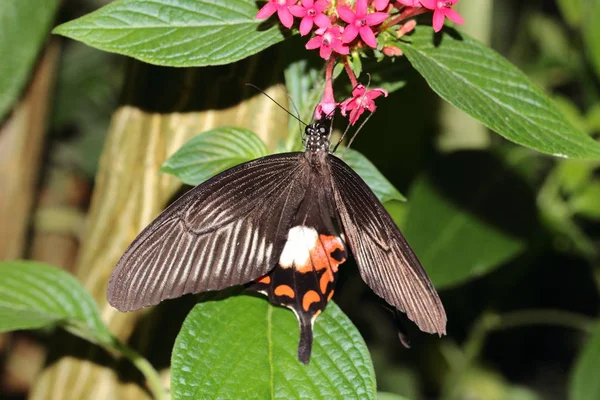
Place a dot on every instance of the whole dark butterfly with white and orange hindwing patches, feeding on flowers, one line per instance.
(281, 225)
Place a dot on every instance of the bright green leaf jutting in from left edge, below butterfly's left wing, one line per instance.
(35, 295)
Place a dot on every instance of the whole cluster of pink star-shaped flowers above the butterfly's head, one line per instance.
(346, 25)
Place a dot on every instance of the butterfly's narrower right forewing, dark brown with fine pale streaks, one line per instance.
(385, 260)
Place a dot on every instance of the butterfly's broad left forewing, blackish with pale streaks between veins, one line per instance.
(227, 231)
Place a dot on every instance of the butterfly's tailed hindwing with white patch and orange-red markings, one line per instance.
(305, 276)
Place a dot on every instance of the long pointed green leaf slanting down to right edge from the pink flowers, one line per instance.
(480, 82)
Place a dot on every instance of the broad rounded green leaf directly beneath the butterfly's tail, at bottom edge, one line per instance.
(243, 347)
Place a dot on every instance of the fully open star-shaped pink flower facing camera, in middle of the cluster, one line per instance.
(360, 22)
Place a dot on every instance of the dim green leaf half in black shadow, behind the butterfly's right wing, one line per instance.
(458, 221)
